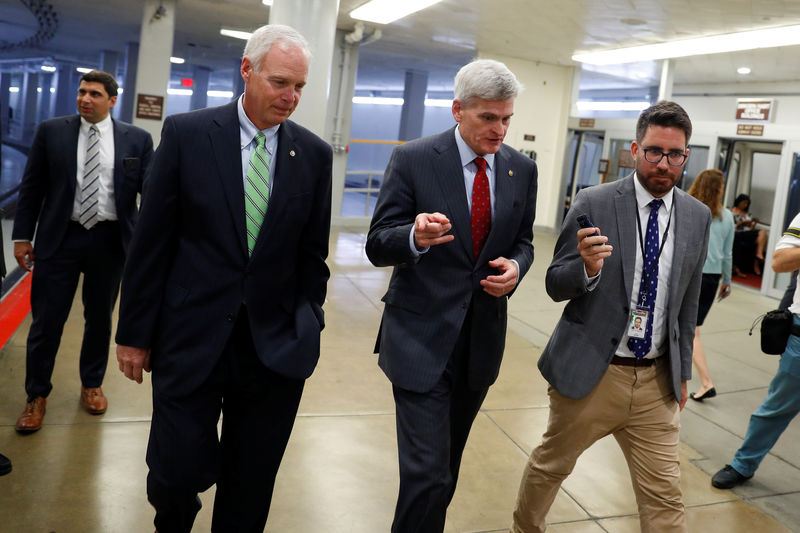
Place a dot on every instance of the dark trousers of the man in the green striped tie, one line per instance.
(186, 455)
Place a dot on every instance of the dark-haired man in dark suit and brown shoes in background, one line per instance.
(80, 185)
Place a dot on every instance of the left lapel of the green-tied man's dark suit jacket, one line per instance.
(224, 136)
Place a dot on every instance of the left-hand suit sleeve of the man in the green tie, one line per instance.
(153, 245)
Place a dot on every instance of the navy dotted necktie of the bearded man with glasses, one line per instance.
(649, 283)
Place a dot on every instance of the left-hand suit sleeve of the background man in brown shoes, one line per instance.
(33, 188)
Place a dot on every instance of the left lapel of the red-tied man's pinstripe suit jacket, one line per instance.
(449, 174)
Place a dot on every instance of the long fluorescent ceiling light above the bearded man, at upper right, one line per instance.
(716, 44)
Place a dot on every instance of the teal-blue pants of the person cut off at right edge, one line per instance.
(775, 413)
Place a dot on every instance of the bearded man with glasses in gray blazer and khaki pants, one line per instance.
(606, 376)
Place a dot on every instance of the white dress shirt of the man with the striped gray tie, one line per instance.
(107, 208)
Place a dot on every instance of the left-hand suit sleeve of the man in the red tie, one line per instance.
(387, 240)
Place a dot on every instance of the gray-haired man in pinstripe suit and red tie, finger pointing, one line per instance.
(455, 220)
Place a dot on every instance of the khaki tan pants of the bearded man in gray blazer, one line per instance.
(636, 405)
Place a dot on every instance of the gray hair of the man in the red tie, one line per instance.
(487, 79)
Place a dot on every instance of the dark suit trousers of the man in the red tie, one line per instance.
(432, 430)
